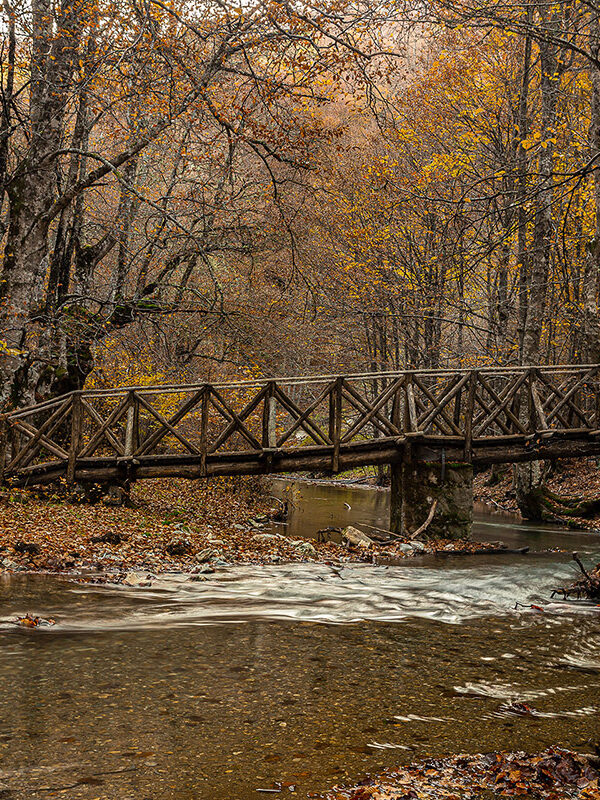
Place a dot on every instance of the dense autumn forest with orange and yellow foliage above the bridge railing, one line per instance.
(203, 190)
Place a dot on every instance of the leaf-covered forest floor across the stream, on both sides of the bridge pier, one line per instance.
(177, 525)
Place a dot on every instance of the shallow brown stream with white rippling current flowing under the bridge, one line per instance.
(295, 677)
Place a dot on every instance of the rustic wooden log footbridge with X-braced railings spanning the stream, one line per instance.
(323, 423)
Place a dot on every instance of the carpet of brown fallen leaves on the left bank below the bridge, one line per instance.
(171, 523)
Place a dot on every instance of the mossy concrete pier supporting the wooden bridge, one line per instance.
(416, 485)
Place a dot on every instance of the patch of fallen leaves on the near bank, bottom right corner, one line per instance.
(551, 775)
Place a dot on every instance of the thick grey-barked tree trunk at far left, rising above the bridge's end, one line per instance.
(22, 312)
